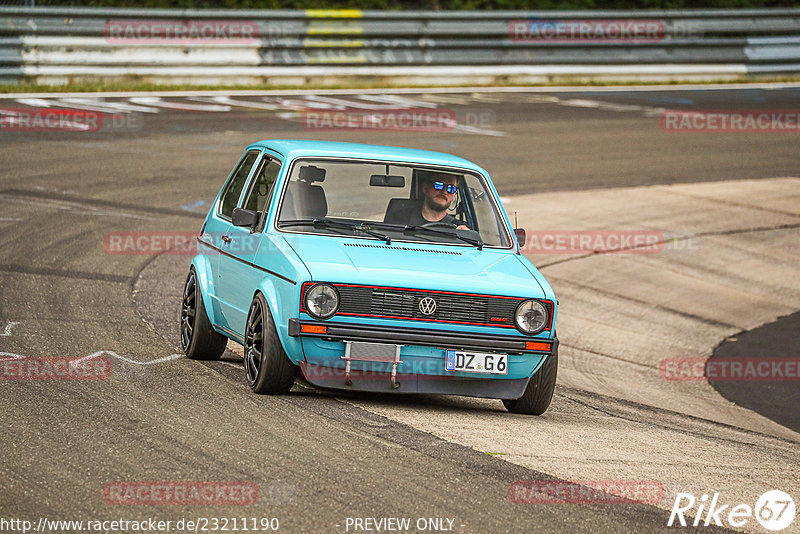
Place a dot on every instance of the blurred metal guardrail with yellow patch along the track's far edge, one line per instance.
(55, 45)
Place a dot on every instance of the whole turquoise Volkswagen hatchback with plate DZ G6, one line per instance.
(370, 268)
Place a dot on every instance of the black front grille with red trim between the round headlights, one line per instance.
(404, 303)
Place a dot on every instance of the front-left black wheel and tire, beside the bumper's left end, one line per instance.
(268, 369)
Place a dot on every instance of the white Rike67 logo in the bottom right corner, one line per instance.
(774, 510)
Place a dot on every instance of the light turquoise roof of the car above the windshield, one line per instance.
(295, 148)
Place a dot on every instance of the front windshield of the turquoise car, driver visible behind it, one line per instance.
(405, 202)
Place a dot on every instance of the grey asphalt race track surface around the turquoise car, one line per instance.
(599, 159)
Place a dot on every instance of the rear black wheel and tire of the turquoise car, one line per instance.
(199, 340)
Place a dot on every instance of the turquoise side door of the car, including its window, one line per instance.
(238, 275)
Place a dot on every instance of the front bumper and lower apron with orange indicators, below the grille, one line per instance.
(422, 359)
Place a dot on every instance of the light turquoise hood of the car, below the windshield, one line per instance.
(415, 265)
